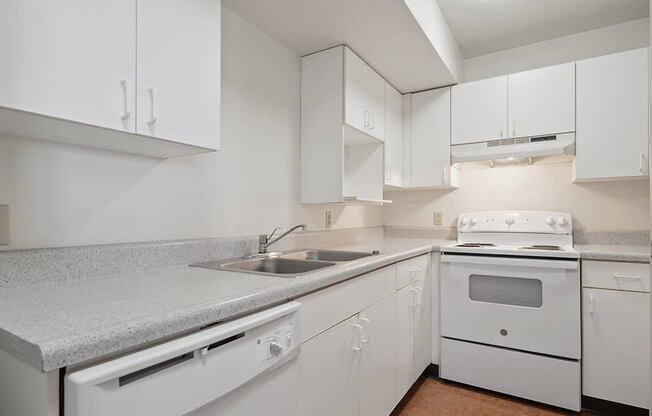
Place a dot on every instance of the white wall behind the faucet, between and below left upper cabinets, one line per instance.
(62, 195)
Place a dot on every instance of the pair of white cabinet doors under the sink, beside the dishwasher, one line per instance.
(354, 363)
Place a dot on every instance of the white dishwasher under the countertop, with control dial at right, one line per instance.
(244, 367)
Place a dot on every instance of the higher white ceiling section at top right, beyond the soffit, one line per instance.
(486, 26)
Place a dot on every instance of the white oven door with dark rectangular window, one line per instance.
(521, 303)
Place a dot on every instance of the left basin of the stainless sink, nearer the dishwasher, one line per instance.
(270, 265)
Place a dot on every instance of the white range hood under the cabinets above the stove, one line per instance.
(518, 148)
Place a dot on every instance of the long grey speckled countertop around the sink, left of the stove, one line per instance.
(56, 325)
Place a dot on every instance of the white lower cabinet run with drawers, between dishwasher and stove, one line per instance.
(364, 364)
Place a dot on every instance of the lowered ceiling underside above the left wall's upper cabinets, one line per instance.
(383, 32)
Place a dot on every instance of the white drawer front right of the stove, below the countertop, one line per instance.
(615, 275)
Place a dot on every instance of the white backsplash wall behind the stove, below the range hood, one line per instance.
(622, 205)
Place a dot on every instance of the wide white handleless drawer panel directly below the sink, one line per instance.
(325, 308)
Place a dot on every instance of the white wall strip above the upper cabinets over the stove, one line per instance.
(603, 41)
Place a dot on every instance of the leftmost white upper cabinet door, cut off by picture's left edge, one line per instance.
(67, 58)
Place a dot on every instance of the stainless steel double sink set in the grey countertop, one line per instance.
(290, 264)
